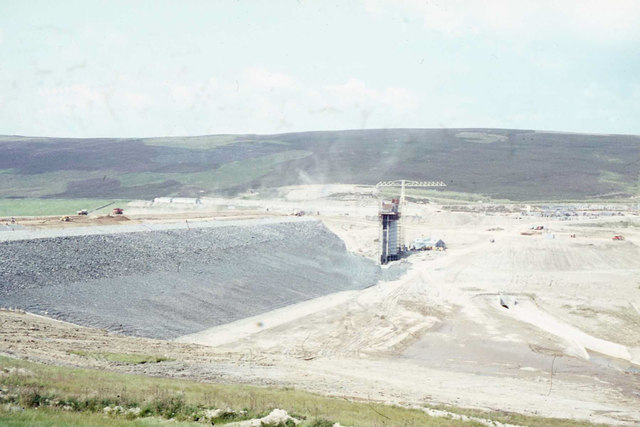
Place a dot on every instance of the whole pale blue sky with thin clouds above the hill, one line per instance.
(166, 68)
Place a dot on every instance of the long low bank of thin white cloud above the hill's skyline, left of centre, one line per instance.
(255, 99)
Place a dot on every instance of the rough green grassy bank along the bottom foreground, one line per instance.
(62, 396)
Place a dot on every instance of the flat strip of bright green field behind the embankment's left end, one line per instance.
(42, 207)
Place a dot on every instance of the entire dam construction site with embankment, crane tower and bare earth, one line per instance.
(360, 292)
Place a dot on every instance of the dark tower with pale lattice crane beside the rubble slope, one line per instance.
(391, 222)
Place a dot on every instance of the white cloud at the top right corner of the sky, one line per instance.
(580, 19)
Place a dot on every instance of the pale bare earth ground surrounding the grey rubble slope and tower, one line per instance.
(570, 347)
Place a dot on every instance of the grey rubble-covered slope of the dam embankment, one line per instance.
(164, 284)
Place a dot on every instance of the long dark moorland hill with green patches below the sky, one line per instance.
(512, 164)
